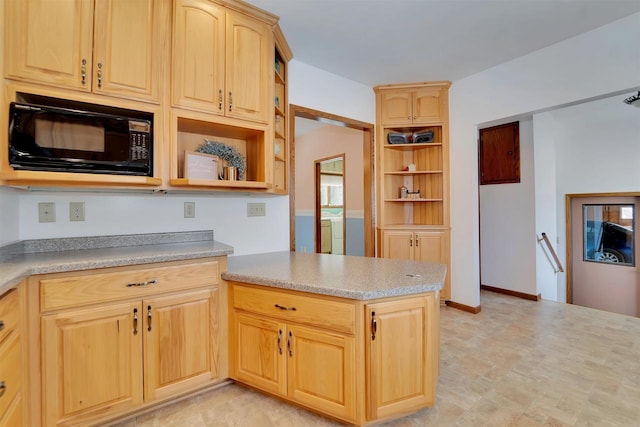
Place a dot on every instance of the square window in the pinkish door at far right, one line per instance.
(608, 233)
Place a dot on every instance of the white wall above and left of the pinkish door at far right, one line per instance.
(597, 150)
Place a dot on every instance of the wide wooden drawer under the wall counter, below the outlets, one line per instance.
(104, 286)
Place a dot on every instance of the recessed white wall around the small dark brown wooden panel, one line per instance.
(507, 226)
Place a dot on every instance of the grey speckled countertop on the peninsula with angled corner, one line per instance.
(342, 276)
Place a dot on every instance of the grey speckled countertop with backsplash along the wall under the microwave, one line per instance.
(22, 259)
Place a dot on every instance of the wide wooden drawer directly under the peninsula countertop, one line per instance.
(309, 310)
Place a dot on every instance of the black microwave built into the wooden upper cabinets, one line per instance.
(50, 134)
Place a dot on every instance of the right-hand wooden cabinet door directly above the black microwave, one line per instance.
(128, 48)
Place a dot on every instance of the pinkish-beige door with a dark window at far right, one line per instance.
(604, 254)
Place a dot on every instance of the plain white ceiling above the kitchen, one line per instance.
(400, 41)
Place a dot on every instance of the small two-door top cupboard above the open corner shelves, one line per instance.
(405, 107)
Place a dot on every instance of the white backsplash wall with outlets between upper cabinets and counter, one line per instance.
(113, 213)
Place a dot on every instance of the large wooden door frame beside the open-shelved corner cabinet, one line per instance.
(368, 166)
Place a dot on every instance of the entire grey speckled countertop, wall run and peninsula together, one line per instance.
(341, 276)
